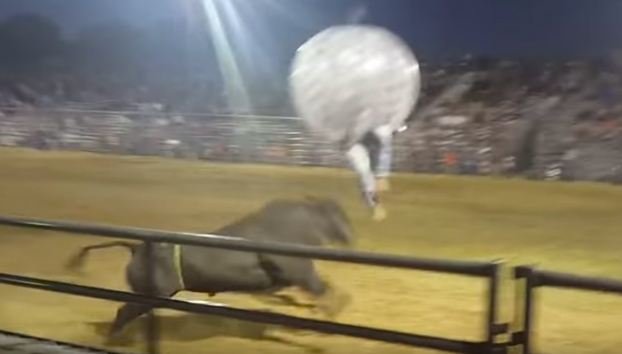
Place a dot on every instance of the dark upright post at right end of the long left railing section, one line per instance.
(493, 327)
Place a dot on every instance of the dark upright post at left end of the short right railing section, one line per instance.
(523, 311)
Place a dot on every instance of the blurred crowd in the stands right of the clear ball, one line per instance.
(540, 120)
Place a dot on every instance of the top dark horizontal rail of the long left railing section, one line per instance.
(468, 268)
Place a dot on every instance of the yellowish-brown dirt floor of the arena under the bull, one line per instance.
(558, 226)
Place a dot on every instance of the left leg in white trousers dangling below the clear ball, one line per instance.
(359, 160)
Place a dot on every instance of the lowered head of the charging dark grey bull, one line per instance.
(333, 223)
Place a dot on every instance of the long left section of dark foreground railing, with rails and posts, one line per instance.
(488, 270)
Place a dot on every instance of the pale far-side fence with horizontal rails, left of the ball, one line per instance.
(212, 137)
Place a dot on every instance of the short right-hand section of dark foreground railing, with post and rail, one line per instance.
(531, 278)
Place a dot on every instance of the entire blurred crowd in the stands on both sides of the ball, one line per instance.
(476, 116)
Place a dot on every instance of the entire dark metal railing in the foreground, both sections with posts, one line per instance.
(527, 278)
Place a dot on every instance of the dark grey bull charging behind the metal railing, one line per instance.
(313, 222)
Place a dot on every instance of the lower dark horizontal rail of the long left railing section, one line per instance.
(248, 315)
